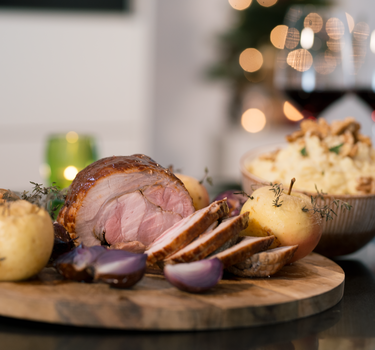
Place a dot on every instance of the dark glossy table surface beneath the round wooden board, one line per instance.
(348, 325)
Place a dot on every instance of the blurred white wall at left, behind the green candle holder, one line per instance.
(62, 71)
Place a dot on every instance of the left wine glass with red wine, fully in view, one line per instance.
(315, 67)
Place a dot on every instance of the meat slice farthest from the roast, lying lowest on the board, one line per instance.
(264, 264)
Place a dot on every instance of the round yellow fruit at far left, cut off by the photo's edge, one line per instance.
(26, 240)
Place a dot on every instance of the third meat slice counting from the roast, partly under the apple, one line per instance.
(243, 250)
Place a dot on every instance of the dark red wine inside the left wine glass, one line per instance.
(314, 102)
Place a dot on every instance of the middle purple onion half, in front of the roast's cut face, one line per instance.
(119, 268)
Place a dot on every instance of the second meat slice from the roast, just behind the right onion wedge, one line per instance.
(209, 242)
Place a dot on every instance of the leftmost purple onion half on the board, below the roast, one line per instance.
(75, 264)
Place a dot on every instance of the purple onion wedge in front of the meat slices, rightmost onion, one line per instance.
(196, 277)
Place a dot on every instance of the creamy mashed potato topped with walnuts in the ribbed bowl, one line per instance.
(335, 158)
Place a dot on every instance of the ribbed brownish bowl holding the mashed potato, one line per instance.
(348, 232)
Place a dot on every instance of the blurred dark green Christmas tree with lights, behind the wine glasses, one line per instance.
(252, 29)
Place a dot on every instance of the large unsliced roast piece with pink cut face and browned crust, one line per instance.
(124, 199)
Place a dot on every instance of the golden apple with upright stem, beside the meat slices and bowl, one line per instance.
(284, 219)
